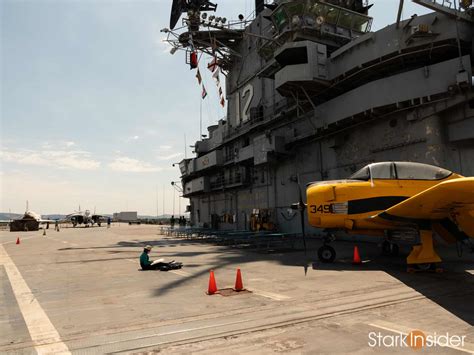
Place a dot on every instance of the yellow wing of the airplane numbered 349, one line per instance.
(450, 199)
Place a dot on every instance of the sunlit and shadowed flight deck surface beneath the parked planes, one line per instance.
(81, 290)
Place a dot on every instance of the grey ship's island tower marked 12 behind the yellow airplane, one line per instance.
(313, 94)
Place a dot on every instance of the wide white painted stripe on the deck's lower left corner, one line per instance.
(43, 333)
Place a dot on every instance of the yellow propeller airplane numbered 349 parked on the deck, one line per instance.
(396, 200)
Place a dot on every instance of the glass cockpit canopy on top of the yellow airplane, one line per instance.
(401, 171)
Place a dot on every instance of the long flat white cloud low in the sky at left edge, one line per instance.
(61, 159)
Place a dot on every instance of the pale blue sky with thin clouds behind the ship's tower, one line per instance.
(94, 109)
